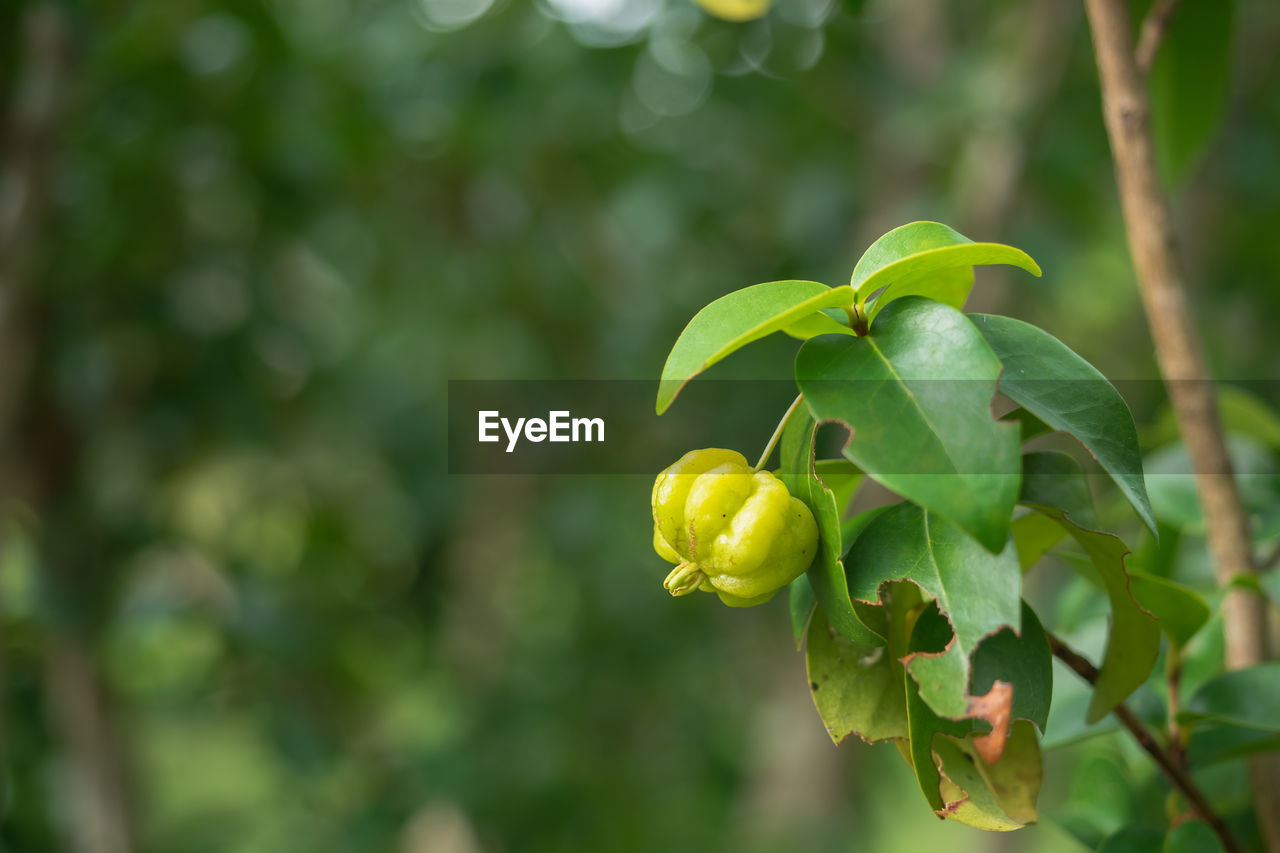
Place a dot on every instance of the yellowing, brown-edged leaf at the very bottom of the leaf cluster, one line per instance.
(999, 797)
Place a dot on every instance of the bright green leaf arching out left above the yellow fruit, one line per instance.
(738, 320)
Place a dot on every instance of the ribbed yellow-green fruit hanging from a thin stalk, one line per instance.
(730, 530)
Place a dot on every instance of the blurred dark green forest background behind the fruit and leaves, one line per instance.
(245, 245)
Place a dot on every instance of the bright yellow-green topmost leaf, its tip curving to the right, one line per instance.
(927, 259)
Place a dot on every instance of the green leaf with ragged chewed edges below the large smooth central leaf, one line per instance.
(977, 592)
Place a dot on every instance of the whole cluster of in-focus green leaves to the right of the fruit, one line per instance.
(912, 615)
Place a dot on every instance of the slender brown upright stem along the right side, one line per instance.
(1127, 111)
